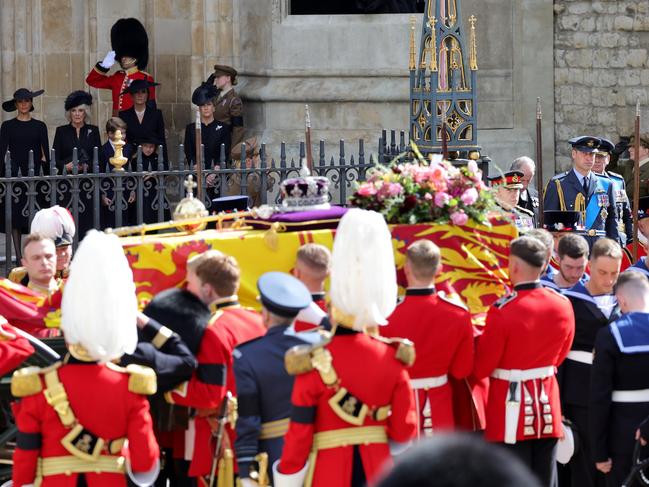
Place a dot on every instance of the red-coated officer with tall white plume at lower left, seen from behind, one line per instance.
(75, 418)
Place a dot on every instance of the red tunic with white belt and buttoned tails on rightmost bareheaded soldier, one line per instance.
(529, 330)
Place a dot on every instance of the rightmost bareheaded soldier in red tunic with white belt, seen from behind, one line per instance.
(527, 336)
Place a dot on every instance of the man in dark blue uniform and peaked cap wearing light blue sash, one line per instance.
(581, 190)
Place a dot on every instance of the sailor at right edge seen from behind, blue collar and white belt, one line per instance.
(619, 390)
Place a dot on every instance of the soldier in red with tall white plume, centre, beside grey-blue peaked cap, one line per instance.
(352, 394)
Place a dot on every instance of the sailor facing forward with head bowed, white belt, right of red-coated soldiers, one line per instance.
(594, 306)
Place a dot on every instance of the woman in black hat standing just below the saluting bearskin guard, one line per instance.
(143, 119)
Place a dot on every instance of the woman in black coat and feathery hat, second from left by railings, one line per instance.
(84, 137)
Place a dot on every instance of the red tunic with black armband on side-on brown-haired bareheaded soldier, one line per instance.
(230, 326)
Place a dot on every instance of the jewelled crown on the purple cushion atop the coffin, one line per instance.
(305, 192)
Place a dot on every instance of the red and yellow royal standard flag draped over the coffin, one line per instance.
(474, 257)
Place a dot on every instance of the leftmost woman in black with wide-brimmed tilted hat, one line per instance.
(19, 136)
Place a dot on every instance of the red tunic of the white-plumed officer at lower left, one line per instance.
(102, 401)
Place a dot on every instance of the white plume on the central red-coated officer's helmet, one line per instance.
(363, 275)
